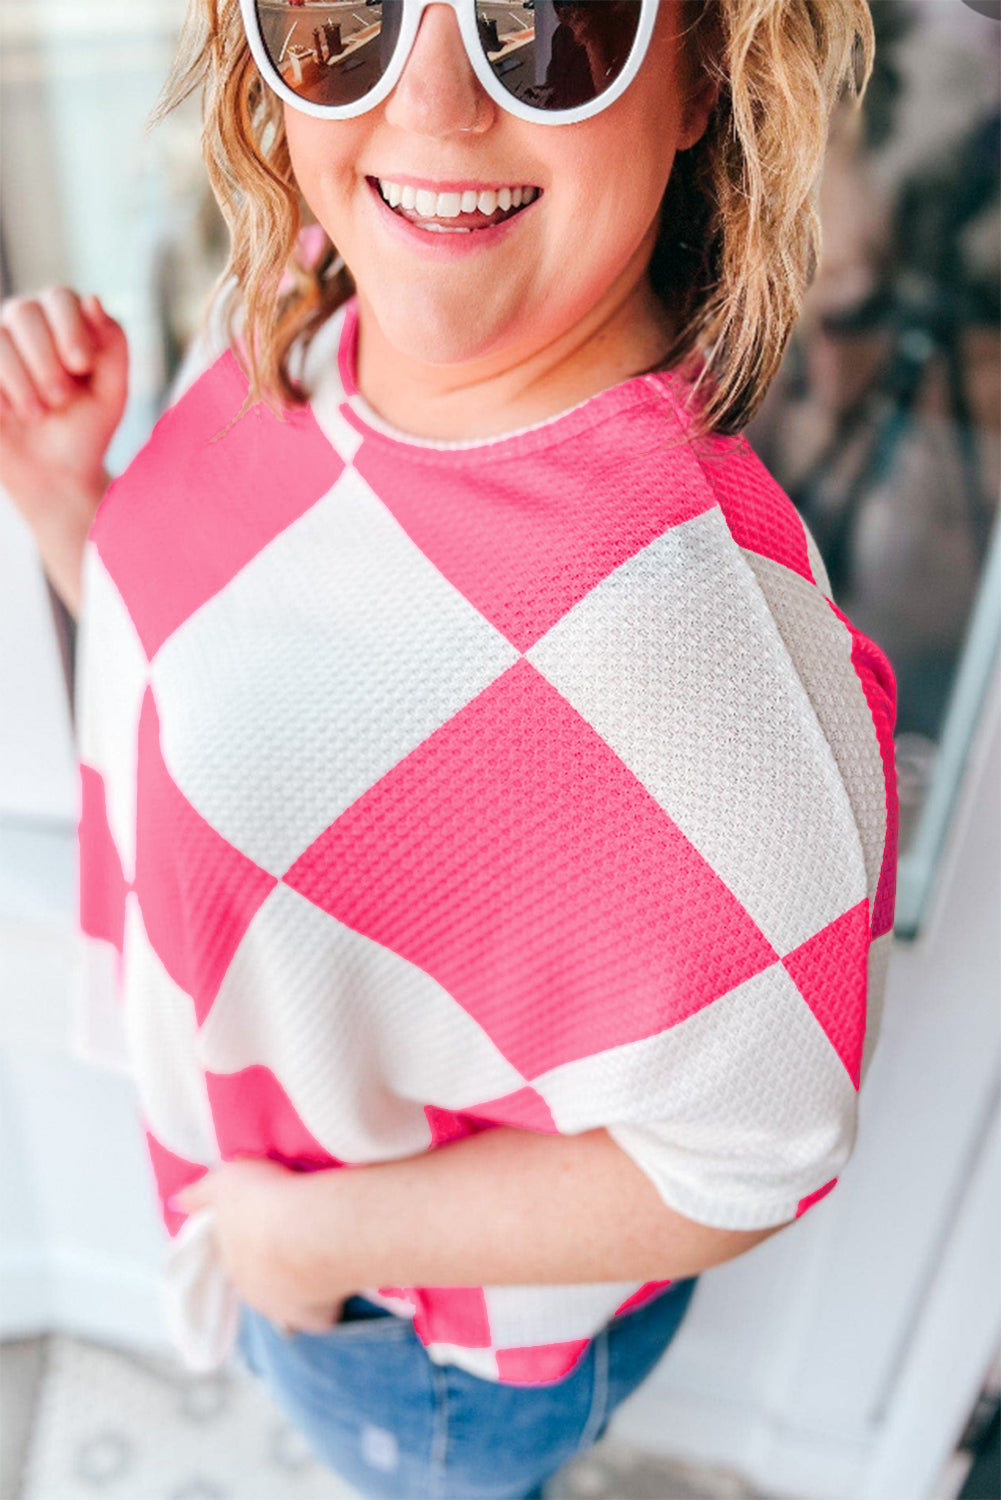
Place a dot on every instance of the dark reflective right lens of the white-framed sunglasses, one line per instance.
(558, 55)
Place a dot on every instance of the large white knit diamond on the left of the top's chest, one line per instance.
(323, 662)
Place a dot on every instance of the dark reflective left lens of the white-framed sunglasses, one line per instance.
(331, 55)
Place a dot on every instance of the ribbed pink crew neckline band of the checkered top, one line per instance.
(637, 391)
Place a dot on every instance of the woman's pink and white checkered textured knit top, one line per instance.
(431, 787)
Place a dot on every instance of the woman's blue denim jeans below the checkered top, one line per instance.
(376, 1409)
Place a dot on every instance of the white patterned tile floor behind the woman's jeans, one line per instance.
(83, 1421)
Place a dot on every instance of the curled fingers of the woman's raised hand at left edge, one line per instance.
(47, 346)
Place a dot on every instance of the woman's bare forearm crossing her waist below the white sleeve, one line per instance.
(500, 1208)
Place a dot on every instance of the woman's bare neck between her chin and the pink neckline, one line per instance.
(625, 334)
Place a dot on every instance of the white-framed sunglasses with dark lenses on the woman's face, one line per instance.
(553, 62)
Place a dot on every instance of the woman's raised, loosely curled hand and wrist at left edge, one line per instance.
(64, 386)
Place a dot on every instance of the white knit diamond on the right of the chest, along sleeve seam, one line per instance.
(678, 664)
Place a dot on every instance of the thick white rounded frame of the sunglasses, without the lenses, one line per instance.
(466, 16)
